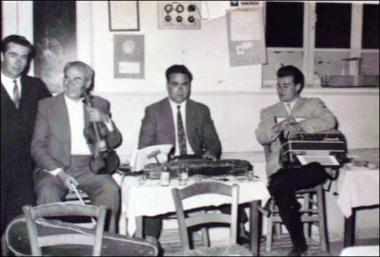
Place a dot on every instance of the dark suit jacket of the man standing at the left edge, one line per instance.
(17, 124)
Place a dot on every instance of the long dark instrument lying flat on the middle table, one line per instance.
(200, 167)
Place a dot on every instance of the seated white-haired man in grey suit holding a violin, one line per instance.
(64, 143)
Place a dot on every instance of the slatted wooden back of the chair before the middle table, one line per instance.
(202, 218)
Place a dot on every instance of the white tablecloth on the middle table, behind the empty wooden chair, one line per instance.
(152, 199)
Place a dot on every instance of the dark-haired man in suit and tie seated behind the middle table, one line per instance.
(182, 122)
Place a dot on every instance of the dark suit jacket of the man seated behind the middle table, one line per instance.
(158, 127)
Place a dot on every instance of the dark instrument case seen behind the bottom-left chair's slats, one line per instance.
(16, 241)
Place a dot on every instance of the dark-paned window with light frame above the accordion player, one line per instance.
(324, 40)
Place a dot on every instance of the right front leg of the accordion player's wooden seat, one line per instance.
(323, 235)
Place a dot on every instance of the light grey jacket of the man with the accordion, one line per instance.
(318, 118)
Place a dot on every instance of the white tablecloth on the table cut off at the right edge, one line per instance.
(359, 187)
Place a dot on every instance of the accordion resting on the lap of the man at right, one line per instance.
(328, 148)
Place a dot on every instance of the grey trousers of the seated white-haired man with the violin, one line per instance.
(102, 189)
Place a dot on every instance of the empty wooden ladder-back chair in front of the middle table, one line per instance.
(186, 221)
